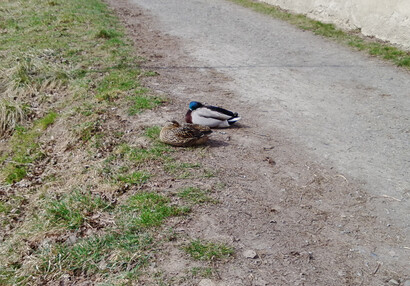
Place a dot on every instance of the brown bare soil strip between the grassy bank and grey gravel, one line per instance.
(308, 223)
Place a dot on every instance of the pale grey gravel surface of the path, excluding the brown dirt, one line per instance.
(350, 110)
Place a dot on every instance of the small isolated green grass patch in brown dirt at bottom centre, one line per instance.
(208, 251)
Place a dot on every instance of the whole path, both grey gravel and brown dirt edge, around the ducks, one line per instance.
(316, 174)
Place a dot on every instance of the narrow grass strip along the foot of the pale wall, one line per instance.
(379, 49)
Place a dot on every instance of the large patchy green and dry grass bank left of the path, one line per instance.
(69, 83)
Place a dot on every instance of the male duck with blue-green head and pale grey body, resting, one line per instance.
(209, 115)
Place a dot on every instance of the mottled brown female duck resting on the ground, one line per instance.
(184, 135)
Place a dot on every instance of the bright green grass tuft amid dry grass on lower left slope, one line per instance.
(73, 209)
